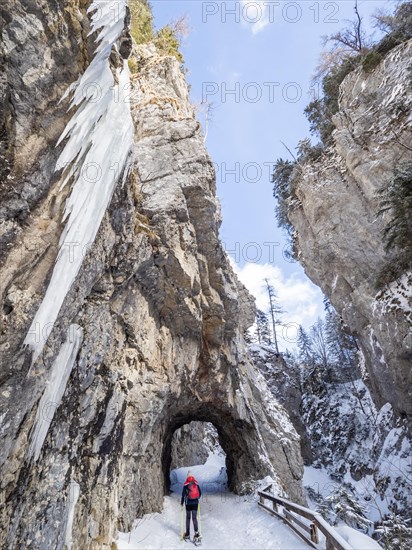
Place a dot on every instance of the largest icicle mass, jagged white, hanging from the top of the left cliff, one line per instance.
(100, 138)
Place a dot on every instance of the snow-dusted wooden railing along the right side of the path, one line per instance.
(292, 513)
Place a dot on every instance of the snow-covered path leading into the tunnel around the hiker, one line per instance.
(228, 521)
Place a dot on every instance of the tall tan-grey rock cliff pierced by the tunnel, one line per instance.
(150, 334)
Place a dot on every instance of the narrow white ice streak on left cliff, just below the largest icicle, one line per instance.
(56, 386)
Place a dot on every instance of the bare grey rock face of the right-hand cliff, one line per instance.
(339, 234)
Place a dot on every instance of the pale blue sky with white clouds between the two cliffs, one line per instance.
(254, 62)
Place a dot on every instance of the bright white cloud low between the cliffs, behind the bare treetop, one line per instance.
(301, 300)
